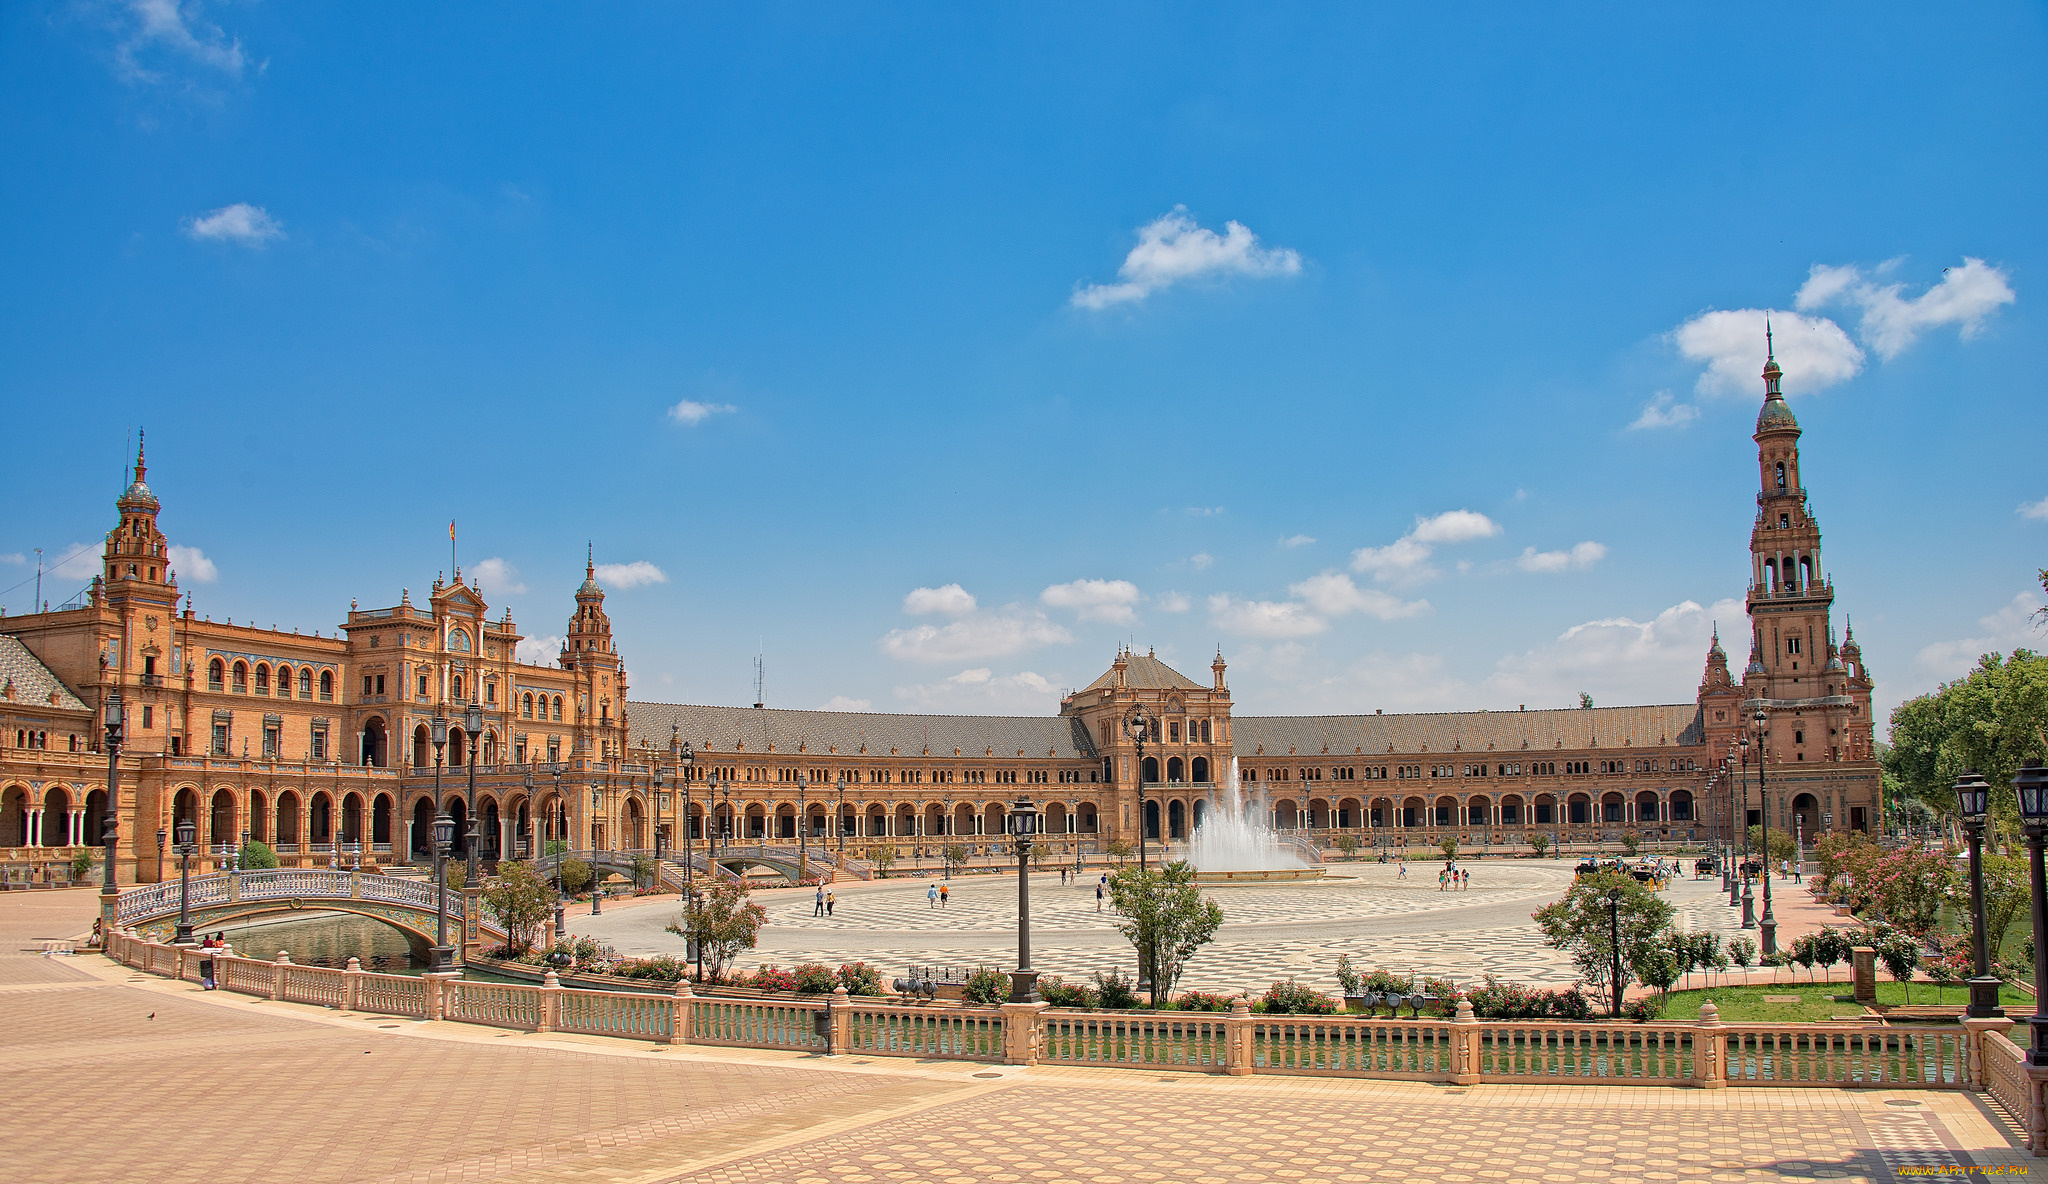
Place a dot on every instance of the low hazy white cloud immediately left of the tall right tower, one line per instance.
(1621, 661)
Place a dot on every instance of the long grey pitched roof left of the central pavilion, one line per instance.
(818, 732)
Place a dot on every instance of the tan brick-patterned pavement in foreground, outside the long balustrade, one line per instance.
(122, 1076)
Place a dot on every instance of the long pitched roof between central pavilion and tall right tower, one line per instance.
(1469, 730)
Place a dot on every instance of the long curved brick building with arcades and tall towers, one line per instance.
(321, 745)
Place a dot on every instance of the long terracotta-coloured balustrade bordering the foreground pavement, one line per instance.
(1461, 1050)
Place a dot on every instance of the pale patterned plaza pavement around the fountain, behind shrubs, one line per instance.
(1269, 933)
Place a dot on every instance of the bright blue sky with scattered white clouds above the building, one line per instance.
(1408, 353)
